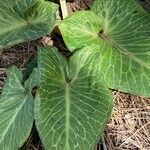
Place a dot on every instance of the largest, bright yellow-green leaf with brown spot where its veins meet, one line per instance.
(117, 36)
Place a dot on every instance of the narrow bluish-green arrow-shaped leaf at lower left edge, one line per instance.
(16, 110)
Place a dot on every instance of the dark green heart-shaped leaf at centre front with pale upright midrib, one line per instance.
(71, 108)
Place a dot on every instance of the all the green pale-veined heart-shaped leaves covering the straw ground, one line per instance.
(110, 48)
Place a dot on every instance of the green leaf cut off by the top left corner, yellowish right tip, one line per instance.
(25, 20)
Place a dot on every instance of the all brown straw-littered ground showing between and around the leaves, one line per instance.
(129, 126)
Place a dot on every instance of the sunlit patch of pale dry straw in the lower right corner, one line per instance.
(129, 126)
